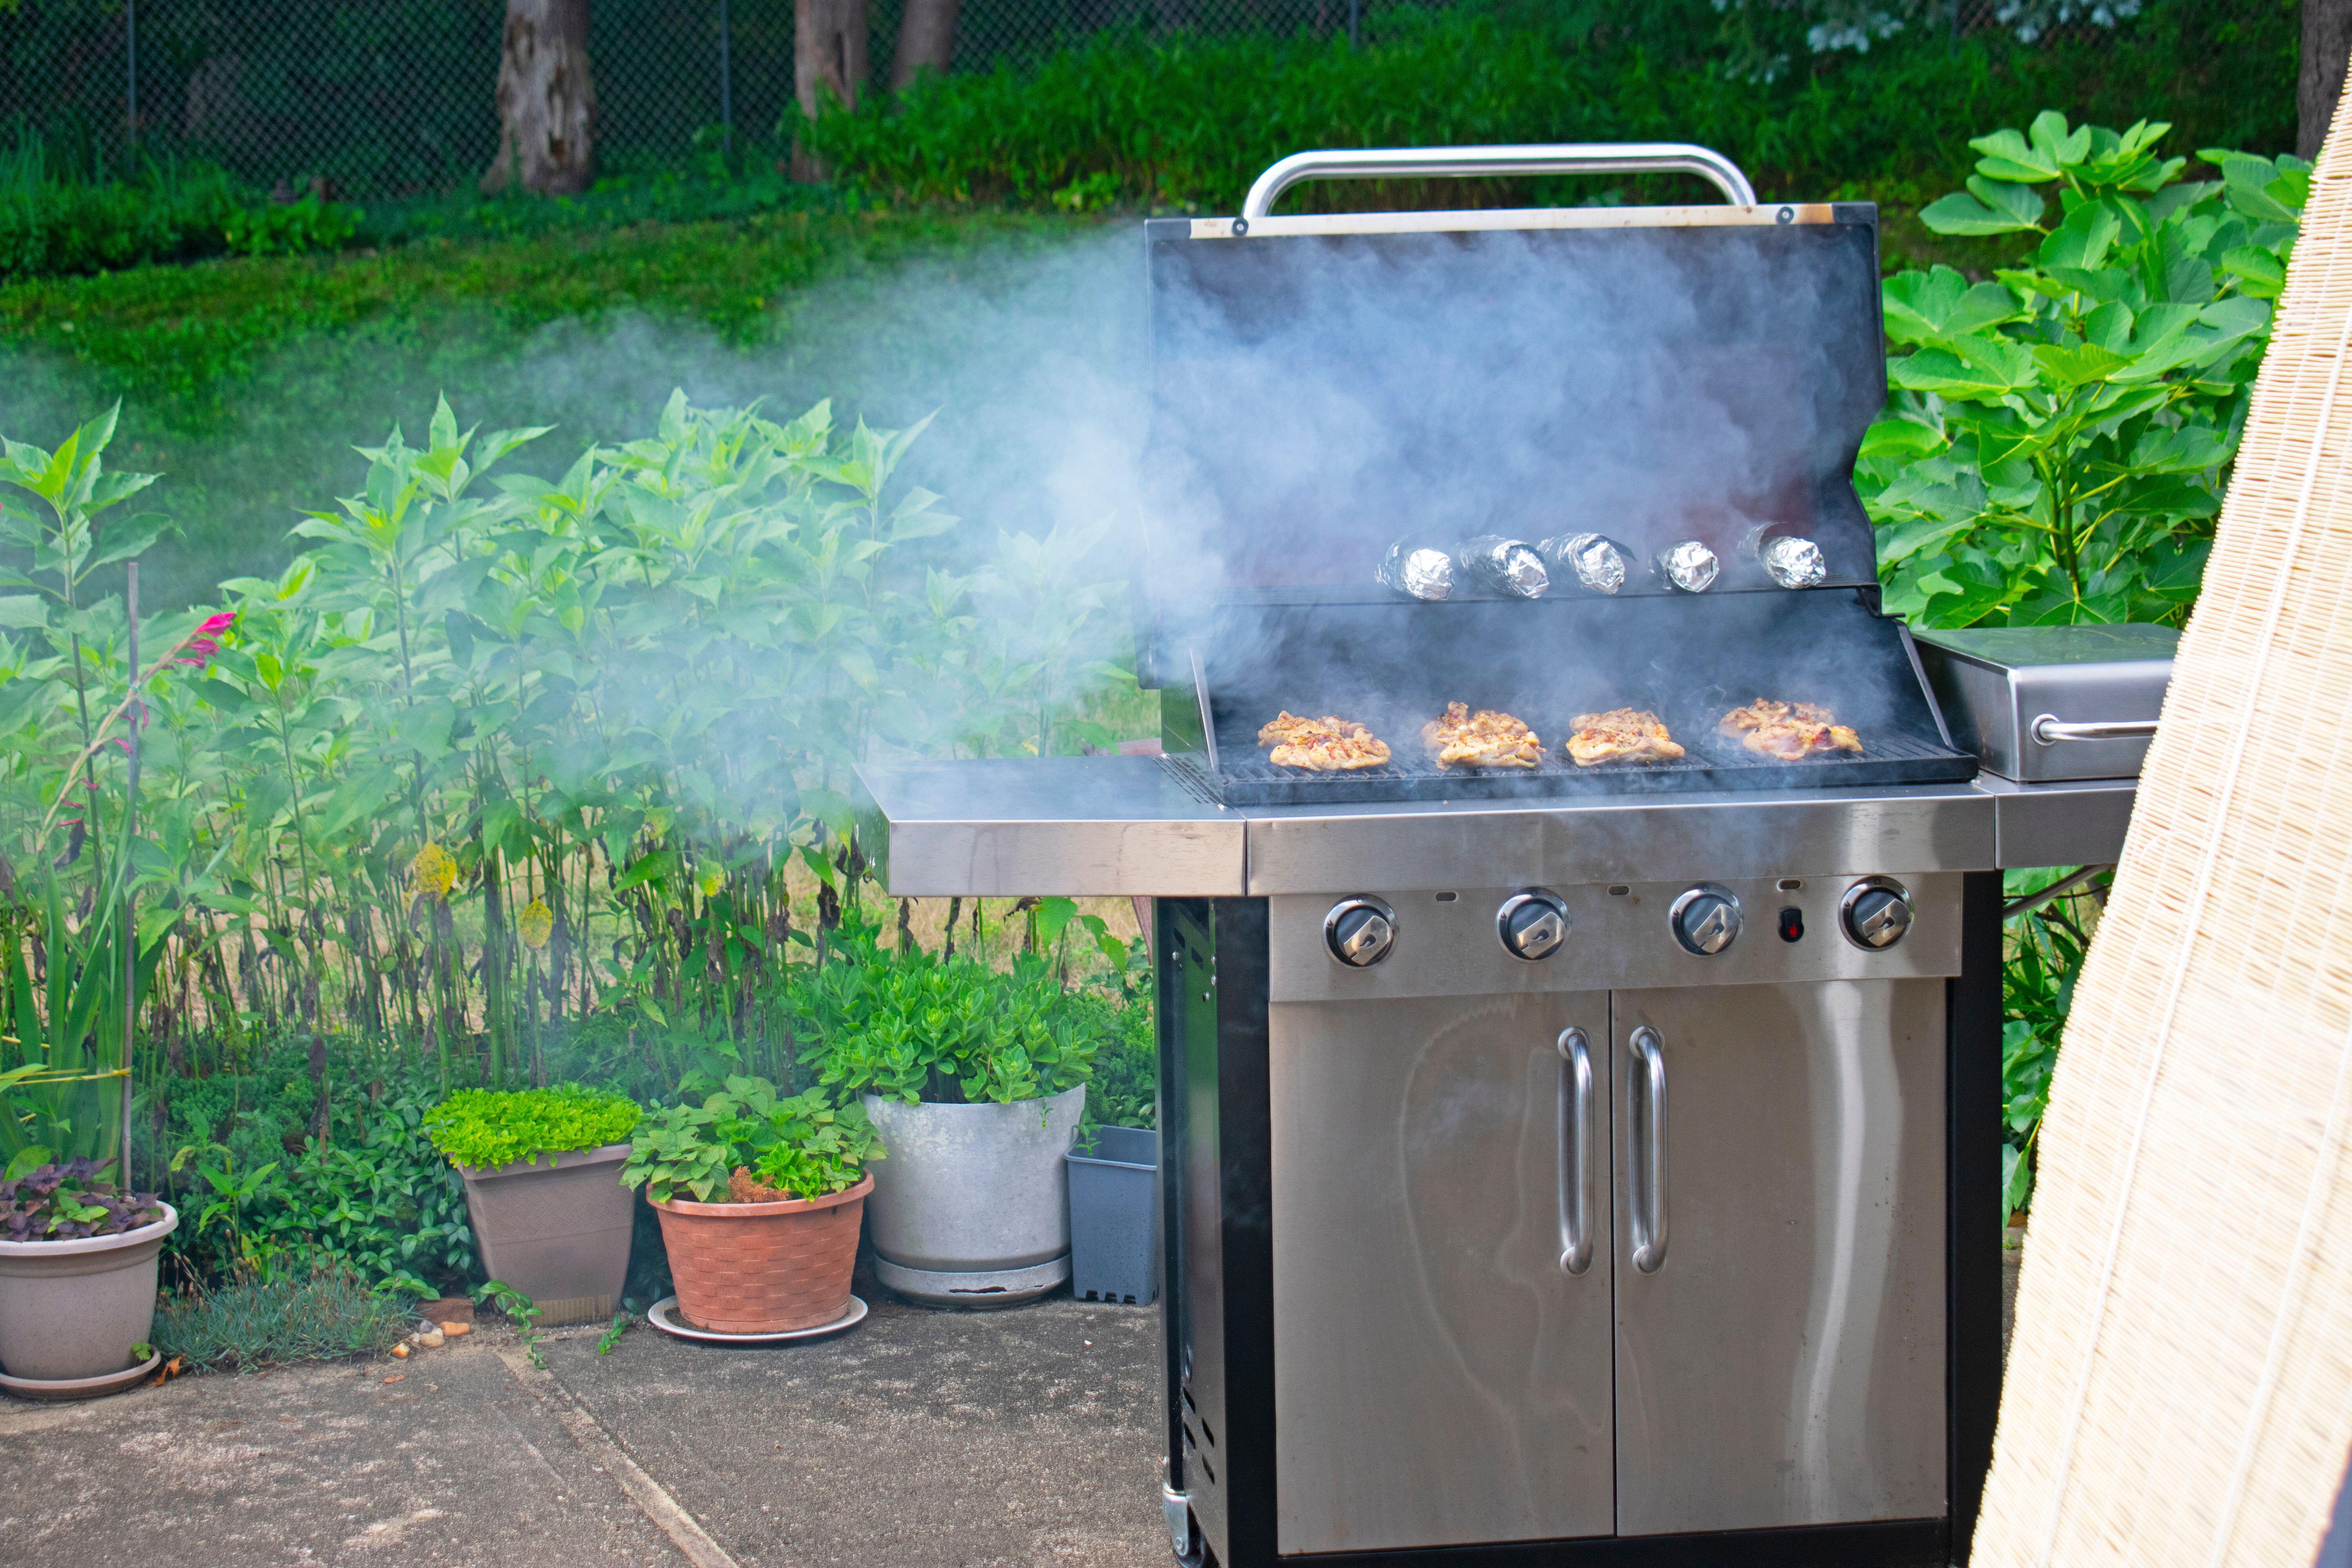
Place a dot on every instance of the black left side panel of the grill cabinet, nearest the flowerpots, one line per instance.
(1220, 1221)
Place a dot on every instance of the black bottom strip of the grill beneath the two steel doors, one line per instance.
(1911, 1543)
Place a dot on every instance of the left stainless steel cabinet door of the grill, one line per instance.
(1438, 1374)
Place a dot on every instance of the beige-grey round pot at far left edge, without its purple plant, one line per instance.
(76, 1308)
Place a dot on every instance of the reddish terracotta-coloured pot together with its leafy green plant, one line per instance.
(761, 1200)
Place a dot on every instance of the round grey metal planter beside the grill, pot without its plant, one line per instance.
(973, 1202)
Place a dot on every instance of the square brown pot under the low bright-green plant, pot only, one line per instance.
(556, 1228)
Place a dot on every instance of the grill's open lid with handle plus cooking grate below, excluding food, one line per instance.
(1325, 389)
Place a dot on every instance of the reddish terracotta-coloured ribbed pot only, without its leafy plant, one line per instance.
(763, 1268)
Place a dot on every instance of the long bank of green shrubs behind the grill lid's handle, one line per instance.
(1189, 121)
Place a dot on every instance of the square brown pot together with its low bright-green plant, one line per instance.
(544, 1188)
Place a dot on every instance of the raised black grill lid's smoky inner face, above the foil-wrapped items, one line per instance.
(1330, 387)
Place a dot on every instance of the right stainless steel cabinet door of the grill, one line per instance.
(1786, 1360)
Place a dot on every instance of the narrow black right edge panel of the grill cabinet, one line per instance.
(1975, 1228)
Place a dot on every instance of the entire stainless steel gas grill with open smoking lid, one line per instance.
(1563, 1165)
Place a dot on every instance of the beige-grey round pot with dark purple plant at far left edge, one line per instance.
(76, 1280)
